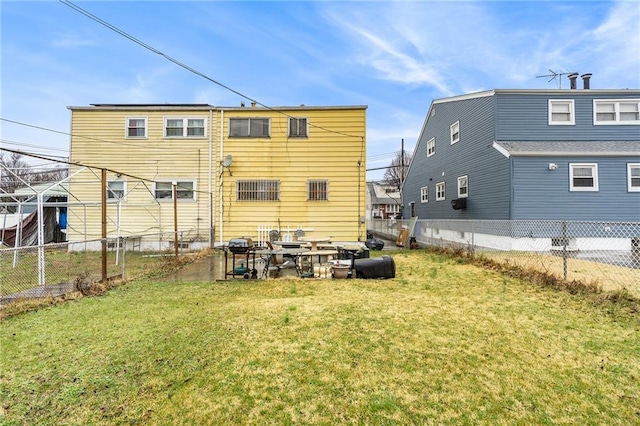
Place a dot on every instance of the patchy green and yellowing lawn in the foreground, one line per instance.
(446, 342)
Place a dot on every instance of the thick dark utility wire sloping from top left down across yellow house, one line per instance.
(182, 65)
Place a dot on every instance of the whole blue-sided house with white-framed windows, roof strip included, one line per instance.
(565, 154)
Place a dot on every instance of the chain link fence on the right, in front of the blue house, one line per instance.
(603, 253)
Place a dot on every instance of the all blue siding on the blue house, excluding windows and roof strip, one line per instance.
(519, 187)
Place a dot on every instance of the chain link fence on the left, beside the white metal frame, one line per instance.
(52, 270)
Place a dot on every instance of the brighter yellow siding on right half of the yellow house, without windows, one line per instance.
(331, 155)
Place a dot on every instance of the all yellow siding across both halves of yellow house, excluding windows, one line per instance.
(335, 146)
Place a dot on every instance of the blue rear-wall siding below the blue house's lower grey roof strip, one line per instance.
(540, 193)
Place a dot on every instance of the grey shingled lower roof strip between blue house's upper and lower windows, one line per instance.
(568, 148)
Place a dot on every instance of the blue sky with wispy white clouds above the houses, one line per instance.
(396, 57)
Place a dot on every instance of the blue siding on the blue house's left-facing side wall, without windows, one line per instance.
(473, 156)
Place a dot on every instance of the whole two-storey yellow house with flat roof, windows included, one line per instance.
(216, 173)
